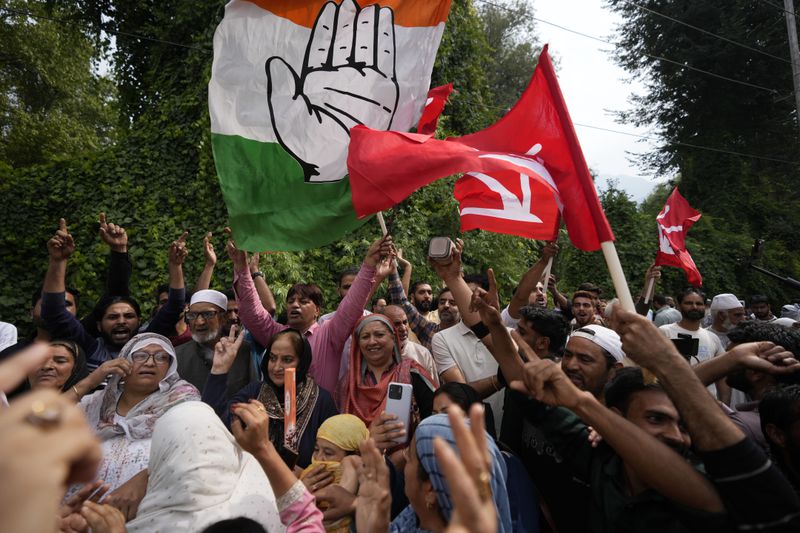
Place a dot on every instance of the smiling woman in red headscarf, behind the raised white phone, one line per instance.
(375, 361)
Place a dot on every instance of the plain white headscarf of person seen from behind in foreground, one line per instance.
(199, 475)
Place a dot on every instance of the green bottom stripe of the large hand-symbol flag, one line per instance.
(269, 204)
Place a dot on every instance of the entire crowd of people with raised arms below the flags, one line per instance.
(554, 411)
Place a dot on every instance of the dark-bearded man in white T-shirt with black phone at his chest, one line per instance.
(692, 305)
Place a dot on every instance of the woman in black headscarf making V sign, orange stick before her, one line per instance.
(286, 349)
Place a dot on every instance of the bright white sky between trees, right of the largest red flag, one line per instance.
(593, 85)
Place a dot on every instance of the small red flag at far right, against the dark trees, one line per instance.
(673, 223)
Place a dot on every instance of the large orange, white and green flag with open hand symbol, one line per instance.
(289, 80)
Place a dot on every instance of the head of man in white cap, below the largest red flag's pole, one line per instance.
(591, 356)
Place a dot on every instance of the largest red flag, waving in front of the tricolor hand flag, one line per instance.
(535, 138)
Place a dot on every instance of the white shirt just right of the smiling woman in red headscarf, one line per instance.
(458, 346)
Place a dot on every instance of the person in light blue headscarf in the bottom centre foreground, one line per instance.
(431, 505)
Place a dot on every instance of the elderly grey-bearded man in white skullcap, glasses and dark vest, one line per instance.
(207, 319)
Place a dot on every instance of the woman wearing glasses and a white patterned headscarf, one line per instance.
(124, 413)
